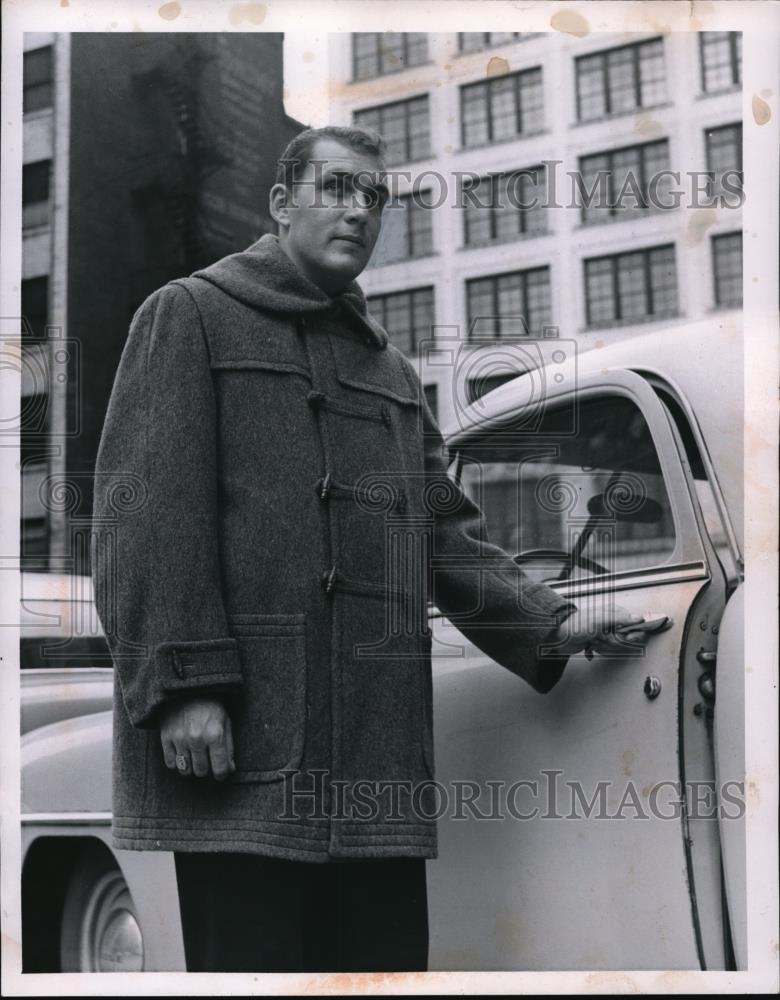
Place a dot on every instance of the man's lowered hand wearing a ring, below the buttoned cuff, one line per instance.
(197, 738)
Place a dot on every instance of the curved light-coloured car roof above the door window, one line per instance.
(702, 361)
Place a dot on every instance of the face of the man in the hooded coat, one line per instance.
(331, 220)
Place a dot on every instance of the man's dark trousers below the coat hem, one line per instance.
(248, 913)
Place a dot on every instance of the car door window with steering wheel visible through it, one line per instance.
(591, 488)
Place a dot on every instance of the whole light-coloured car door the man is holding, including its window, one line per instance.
(570, 838)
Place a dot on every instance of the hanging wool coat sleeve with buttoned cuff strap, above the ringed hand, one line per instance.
(155, 540)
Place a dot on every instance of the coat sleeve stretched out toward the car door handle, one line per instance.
(480, 588)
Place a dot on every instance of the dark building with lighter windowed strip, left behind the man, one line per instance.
(146, 156)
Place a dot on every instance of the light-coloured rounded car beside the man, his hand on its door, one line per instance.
(598, 826)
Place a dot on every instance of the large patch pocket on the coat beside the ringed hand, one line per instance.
(269, 719)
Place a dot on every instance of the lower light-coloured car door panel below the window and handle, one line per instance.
(569, 893)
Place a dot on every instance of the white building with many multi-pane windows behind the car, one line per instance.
(481, 123)
